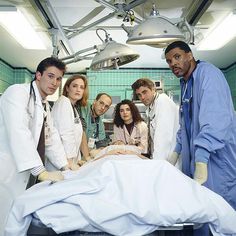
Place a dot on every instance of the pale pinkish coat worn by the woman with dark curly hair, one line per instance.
(139, 135)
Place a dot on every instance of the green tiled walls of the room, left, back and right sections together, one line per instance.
(114, 82)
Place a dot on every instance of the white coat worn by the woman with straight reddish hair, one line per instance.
(70, 131)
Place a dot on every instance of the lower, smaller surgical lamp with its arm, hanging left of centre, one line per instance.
(109, 55)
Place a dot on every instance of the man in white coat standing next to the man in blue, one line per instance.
(162, 115)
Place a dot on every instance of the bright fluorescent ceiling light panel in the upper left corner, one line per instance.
(18, 26)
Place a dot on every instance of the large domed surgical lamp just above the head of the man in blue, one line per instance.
(159, 31)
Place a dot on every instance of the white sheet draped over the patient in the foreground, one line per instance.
(121, 195)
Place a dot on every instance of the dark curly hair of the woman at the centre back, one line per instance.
(134, 112)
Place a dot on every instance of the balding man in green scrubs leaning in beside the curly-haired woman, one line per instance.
(92, 113)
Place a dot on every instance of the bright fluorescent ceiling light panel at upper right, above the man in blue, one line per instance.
(220, 34)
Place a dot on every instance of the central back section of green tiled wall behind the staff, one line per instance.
(118, 82)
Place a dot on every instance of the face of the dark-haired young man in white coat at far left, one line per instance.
(48, 81)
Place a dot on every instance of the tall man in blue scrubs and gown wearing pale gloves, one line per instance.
(206, 139)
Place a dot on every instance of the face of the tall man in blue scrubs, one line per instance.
(180, 62)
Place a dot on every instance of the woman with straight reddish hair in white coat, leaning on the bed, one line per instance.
(67, 119)
